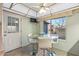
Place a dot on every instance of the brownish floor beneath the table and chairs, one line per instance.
(27, 51)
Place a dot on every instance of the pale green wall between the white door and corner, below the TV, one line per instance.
(28, 27)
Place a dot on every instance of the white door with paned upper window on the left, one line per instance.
(11, 33)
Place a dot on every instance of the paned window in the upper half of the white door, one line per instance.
(13, 24)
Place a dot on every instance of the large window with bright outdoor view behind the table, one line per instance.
(57, 26)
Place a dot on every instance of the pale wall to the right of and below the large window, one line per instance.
(72, 33)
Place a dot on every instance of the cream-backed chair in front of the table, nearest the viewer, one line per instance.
(44, 44)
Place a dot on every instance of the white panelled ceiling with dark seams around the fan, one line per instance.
(32, 9)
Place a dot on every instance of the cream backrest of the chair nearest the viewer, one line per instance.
(44, 43)
